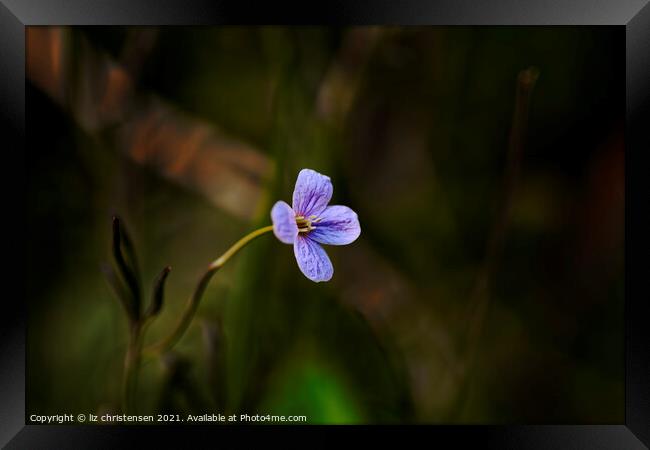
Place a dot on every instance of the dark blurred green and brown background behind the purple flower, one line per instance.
(191, 134)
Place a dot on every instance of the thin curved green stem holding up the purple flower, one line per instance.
(193, 302)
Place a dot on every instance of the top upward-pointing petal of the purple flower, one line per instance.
(312, 193)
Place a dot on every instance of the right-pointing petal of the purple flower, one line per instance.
(339, 225)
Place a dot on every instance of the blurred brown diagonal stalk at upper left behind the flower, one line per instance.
(101, 94)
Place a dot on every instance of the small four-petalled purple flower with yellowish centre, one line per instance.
(310, 222)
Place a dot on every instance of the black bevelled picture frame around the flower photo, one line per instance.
(633, 15)
